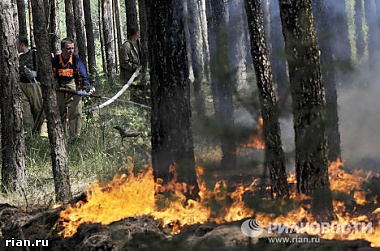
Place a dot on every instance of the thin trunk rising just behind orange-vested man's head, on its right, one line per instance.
(80, 30)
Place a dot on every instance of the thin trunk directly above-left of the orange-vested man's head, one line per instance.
(55, 32)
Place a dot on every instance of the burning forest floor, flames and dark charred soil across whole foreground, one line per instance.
(132, 212)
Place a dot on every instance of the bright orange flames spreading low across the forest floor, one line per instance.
(136, 195)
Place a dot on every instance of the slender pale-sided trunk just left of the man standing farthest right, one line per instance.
(109, 44)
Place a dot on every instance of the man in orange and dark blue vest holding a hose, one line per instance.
(70, 73)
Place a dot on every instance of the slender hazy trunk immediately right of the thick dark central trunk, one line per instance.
(195, 51)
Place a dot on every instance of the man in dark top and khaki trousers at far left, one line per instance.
(30, 87)
